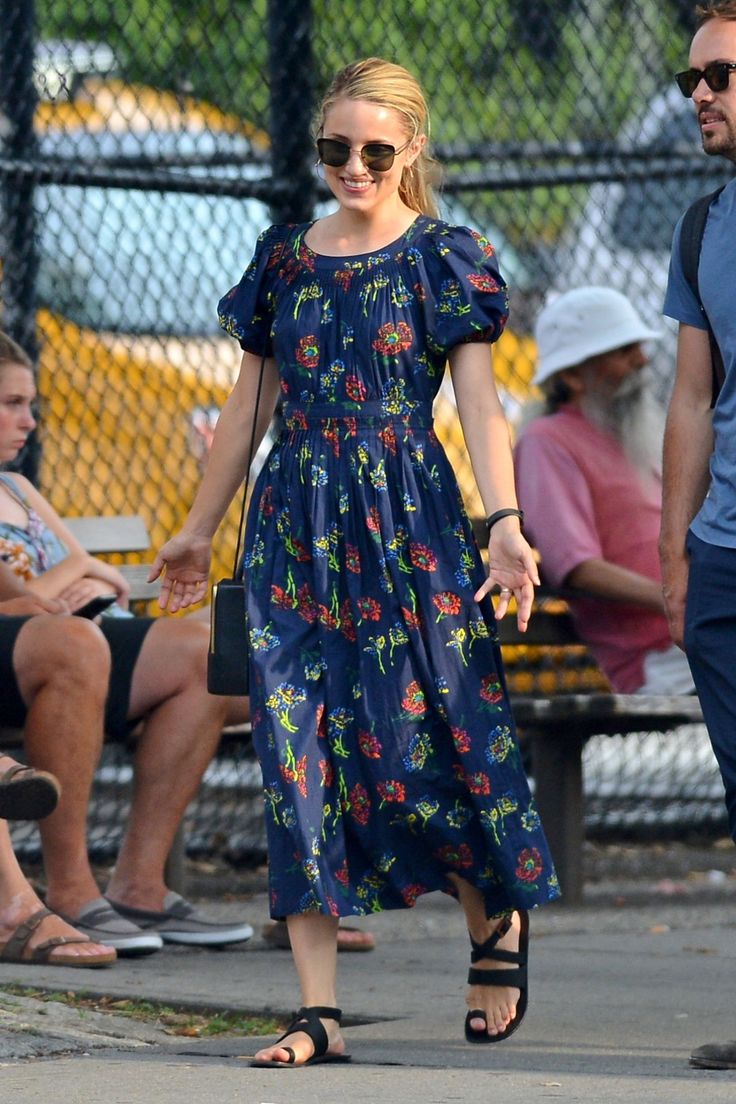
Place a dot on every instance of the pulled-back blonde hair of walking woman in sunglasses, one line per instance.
(389, 86)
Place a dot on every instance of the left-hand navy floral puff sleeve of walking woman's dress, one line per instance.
(247, 311)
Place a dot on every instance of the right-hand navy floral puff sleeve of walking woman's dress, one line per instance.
(468, 295)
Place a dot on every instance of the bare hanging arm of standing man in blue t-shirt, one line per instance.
(686, 475)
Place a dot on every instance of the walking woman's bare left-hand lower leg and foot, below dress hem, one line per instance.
(315, 949)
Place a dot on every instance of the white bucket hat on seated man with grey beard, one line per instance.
(585, 323)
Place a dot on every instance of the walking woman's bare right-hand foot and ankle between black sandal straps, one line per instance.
(498, 1002)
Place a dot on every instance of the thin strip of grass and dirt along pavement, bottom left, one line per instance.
(179, 1022)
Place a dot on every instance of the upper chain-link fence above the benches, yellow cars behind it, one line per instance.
(145, 144)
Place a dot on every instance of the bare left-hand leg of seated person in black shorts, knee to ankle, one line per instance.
(62, 666)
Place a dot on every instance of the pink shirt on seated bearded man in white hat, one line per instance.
(583, 501)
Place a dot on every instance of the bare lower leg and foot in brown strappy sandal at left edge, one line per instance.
(18, 903)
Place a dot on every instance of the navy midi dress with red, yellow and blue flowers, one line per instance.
(380, 713)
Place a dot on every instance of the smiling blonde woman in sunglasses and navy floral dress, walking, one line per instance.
(379, 706)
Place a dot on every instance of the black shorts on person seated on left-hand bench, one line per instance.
(125, 638)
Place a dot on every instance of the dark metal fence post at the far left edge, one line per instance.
(18, 250)
